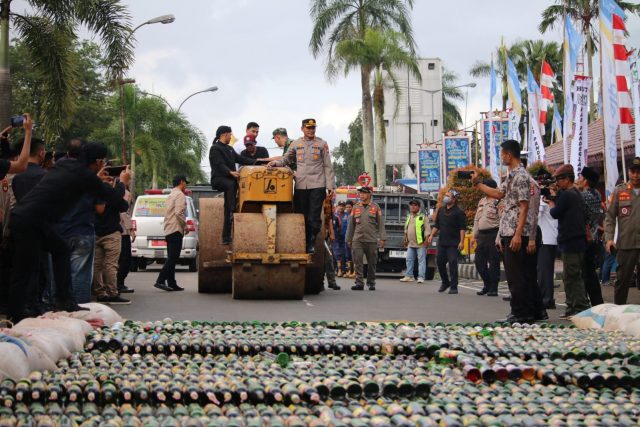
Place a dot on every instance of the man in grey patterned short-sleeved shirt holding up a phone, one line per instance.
(514, 231)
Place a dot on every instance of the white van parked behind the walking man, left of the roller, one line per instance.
(148, 221)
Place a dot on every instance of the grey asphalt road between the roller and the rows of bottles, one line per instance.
(392, 300)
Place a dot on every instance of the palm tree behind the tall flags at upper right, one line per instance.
(585, 13)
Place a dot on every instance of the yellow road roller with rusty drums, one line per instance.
(267, 259)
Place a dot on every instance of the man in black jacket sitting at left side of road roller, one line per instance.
(224, 176)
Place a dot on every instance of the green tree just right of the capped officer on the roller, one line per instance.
(348, 156)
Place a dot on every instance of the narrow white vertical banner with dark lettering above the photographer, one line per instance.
(580, 139)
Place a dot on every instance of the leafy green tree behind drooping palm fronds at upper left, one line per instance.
(93, 109)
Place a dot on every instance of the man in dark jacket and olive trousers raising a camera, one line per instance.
(569, 209)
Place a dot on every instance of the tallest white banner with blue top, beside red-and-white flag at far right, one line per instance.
(610, 111)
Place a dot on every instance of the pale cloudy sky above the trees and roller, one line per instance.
(256, 52)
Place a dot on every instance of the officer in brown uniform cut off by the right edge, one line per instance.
(625, 208)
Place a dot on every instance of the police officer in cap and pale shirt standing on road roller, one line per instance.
(314, 176)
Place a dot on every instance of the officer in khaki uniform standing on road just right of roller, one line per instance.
(365, 229)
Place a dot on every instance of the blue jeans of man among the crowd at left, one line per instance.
(82, 249)
